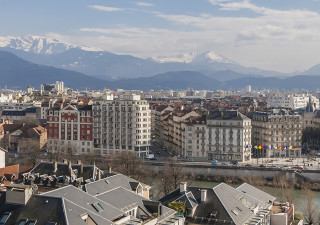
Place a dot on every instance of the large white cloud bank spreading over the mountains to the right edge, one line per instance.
(282, 40)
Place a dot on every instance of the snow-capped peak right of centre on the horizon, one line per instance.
(194, 57)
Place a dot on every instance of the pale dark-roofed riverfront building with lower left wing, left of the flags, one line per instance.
(222, 135)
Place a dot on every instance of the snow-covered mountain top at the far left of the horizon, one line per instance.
(38, 44)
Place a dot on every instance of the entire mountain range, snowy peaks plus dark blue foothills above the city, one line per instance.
(37, 60)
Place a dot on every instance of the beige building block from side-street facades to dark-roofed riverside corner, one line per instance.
(222, 135)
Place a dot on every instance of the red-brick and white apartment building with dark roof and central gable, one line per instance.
(70, 127)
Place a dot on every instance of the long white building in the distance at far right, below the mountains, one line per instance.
(291, 101)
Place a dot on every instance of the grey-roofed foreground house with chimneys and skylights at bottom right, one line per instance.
(225, 204)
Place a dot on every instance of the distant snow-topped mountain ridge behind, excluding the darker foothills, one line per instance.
(109, 66)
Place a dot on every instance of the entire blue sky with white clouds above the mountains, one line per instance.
(279, 35)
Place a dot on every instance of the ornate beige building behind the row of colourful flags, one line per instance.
(279, 132)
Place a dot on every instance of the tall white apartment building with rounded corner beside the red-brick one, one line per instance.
(121, 124)
